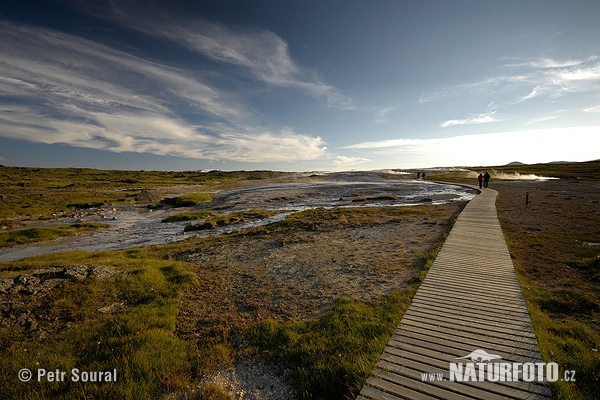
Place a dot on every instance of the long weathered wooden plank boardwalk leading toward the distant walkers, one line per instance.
(470, 299)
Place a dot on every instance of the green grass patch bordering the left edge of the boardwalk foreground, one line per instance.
(330, 356)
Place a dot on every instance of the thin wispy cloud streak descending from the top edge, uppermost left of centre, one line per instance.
(261, 53)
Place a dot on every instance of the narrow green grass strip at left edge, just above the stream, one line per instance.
(41, 234)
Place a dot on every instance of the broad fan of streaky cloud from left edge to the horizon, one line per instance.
(58, 88)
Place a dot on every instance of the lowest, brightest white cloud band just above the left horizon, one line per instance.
(148, 133)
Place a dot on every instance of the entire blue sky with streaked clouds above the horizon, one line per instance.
(298, 85)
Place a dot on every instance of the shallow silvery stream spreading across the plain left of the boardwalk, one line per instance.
(134, 226)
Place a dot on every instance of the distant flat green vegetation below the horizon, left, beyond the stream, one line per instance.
(34, 192)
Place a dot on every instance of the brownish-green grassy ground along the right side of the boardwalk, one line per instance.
(560, 279)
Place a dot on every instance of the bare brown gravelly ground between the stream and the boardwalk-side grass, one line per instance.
(296, 271)
